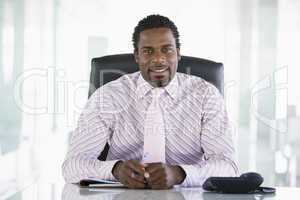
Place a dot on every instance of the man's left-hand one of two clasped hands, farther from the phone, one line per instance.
(130, 173)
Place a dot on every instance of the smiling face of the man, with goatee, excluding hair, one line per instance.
(157, 56)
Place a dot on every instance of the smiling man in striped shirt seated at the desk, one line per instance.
(197, 135)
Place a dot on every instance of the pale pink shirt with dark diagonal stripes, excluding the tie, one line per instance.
(197, 128)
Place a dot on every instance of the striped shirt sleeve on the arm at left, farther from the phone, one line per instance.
(88, 141)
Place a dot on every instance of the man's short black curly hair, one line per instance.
(154, 21)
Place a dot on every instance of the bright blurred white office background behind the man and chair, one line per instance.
(45, 51)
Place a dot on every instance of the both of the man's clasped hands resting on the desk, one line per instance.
(135, 175)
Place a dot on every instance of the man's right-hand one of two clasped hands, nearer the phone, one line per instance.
(163, 176)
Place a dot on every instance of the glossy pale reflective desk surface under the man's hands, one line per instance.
(73, 192)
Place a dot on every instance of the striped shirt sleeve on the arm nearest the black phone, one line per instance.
(216, 142)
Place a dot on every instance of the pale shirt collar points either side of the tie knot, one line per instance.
(143, 87)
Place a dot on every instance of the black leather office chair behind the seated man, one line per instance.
(109, 68)
